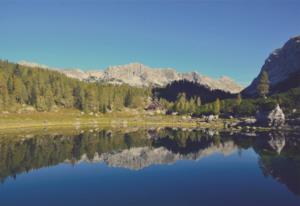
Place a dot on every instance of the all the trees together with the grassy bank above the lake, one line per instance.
(36, 97)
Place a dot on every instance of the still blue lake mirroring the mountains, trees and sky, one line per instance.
(135, 166)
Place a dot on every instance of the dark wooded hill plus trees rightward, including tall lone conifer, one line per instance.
(190, 99)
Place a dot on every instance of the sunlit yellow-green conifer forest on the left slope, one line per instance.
(46, 89)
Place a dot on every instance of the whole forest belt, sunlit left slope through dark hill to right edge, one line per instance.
(46, 90)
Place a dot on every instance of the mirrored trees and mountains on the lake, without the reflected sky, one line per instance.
(279, 153)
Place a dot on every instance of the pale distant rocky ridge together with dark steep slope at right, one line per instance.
(282, 66)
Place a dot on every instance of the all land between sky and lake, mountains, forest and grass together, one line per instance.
(33, 95)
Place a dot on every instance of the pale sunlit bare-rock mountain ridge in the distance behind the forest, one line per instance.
(137, 74)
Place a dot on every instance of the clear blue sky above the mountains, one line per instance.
(215, 38)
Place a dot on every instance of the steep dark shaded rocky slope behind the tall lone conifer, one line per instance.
(282, 65)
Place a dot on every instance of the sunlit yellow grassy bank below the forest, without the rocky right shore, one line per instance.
(73, 118)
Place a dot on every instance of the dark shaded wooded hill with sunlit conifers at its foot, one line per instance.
(186, 97)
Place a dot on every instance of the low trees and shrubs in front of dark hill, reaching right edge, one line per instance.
(289, 102)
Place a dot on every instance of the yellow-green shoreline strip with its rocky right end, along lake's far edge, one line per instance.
(76, 120)
